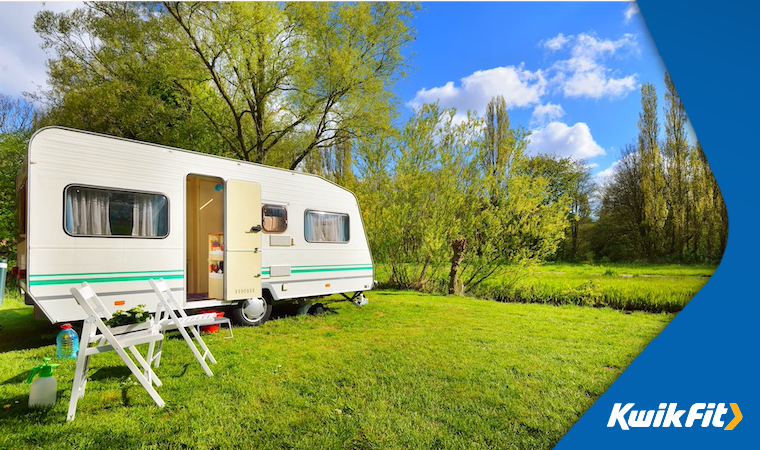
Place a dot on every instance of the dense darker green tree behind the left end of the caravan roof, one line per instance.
(111, 74)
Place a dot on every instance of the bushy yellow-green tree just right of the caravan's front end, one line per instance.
(429, 202)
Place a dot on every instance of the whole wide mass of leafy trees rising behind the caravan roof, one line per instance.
(263, 82)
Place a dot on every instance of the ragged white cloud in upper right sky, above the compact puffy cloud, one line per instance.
(585, 75)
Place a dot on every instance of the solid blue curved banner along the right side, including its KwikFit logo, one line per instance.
(696, 384)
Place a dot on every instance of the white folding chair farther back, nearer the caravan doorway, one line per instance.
(168, 319)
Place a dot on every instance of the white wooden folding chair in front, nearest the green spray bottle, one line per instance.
(111, 338)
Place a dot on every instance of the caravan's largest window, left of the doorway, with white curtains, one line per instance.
(107, 212)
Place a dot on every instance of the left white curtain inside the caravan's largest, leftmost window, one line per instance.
(88, 212)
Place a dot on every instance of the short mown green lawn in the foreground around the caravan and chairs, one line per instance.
(408, 370)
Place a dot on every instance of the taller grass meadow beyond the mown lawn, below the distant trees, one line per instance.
(635, 287)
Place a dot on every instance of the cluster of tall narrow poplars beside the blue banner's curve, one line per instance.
(663, 200)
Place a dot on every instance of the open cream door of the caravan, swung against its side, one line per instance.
(242, 232)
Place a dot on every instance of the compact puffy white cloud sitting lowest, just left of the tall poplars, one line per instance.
(560, 139)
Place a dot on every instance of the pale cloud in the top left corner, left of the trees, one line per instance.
(22, 61)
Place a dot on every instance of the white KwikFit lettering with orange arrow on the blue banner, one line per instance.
(668, 415)
